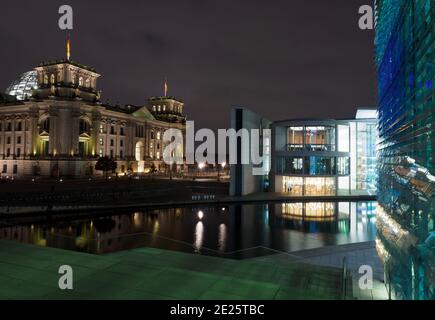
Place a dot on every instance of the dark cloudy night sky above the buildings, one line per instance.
(281, 58)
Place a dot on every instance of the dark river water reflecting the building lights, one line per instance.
(209, 230)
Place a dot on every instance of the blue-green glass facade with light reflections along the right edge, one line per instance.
(405, 57)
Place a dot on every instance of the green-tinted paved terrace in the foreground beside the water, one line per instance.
(31, 272)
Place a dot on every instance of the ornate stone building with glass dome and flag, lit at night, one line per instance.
(53, 123)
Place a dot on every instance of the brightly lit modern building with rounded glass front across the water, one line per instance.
(325, 157)
